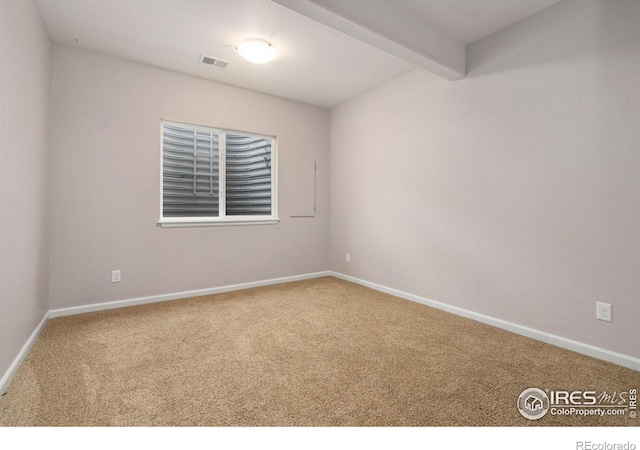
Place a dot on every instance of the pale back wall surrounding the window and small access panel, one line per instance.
(105, 184)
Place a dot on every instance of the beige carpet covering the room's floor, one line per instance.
(318, 352)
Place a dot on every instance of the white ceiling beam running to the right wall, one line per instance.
(382, 26)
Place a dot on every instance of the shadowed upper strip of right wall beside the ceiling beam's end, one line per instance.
(569, 31)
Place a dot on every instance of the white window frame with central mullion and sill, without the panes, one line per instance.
(223, 219)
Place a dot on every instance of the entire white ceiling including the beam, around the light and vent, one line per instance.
(329, 50)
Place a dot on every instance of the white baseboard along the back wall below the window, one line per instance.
(176, 295)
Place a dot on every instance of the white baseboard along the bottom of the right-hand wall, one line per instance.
(559, 341)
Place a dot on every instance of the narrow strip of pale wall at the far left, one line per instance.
(24, 175)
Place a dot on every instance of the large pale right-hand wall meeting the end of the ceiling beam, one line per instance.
(515, 192)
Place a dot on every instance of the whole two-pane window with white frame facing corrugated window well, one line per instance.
(212, 176)
